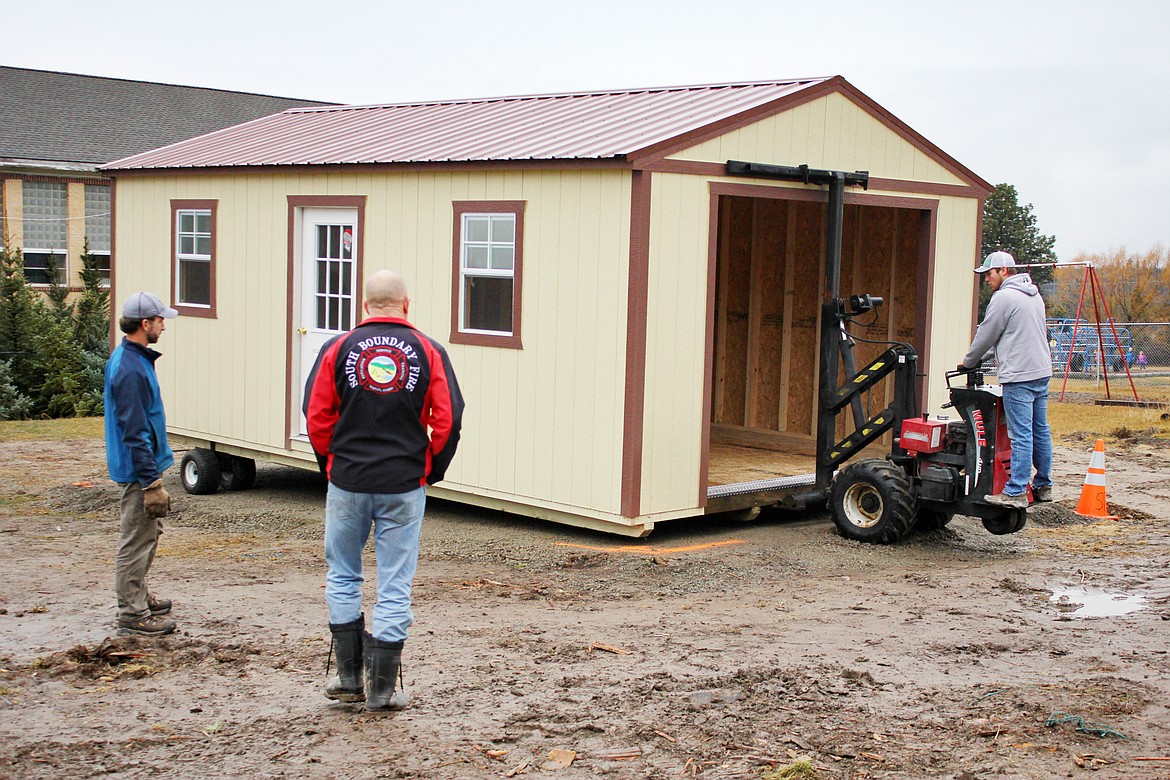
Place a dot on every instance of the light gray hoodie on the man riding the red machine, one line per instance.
(1015, 330)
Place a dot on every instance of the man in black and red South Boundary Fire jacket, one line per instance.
(384, 412)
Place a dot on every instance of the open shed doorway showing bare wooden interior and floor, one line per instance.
(769, 288)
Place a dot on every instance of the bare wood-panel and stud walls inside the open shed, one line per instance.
(770, 282)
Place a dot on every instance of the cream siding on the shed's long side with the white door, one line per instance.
(543, 423)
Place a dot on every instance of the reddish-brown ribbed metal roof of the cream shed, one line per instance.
(587, 126)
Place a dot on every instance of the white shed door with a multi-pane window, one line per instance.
(327, 303)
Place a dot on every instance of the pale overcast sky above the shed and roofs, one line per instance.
(1069, 101)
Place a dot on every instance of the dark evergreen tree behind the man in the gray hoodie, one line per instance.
(1010, 227)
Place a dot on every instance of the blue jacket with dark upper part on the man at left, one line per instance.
(136, 448)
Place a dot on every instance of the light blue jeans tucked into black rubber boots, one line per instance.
(397, 522)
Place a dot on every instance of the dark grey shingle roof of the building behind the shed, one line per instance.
(70, 119)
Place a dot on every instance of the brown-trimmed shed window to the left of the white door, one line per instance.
(194, 280)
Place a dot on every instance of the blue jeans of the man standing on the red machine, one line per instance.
(1027, 406)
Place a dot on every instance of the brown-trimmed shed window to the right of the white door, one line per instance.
(487, 273)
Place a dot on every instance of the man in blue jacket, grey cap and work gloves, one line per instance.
(137, 454)
